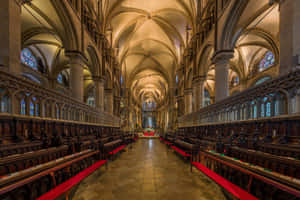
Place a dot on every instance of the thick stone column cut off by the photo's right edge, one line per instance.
(289, 35)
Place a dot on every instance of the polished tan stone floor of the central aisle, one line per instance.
(148, 171)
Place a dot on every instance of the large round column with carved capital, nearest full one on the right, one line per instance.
(221, 60)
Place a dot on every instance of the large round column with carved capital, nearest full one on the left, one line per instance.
(76, 74)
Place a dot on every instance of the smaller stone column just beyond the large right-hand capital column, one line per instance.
(198, 92)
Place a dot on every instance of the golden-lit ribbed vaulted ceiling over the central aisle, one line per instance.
(149, 35)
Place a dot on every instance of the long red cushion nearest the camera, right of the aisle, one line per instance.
(227, 185)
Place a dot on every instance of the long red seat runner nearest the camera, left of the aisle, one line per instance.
(67, 185)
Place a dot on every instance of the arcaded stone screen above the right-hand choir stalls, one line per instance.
(275, 97)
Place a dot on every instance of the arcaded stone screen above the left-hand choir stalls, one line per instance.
(19, 96)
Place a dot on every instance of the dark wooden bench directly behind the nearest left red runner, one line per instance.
(37, 181)
